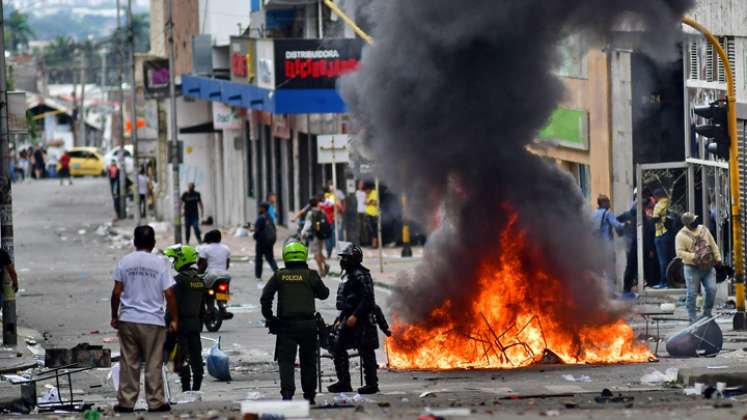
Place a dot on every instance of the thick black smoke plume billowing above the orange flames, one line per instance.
(448, 99)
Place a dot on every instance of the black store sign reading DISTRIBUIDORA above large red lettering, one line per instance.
(314, 63)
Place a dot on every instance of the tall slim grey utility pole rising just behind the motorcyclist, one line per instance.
(175, 155)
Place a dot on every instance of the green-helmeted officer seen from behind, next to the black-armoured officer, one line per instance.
(295, 325)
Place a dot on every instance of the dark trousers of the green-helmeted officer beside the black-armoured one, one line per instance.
(301, 335)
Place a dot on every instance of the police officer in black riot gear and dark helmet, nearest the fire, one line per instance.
(356, 325)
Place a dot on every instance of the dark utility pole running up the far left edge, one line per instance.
(10, 336)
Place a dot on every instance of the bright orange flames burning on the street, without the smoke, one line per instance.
(519, 316)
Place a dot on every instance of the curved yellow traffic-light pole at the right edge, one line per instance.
(736, 215)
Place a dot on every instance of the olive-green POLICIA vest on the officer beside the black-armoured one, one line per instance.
(295, 295)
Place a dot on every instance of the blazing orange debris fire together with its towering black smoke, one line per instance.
(453, 92)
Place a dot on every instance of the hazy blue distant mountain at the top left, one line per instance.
(79, 19)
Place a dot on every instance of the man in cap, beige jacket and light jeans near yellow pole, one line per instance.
(700, 254)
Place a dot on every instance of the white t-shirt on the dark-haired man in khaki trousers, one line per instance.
(145, 277)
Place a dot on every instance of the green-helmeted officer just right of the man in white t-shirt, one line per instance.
(190, 295)
